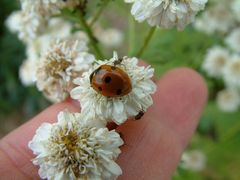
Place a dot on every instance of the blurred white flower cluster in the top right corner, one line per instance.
(220, 17)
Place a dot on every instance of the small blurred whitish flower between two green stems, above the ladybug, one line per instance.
(110, 37)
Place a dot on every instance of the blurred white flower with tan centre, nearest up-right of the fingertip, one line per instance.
(215, 60)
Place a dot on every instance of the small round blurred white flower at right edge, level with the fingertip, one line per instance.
(228, 100)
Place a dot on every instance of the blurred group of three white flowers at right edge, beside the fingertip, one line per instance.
(220, 63)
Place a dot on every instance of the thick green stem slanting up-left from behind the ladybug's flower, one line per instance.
(93, 40)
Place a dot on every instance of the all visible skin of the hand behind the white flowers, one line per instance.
(153, 145)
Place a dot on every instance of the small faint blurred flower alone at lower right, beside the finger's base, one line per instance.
(194, 160)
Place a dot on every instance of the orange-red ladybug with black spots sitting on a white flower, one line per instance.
(111, 81)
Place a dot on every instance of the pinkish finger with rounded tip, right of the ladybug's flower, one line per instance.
(154, 144)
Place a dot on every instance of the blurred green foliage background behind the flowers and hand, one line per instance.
(218, 133)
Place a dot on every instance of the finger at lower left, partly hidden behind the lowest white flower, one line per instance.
(15, 157)
